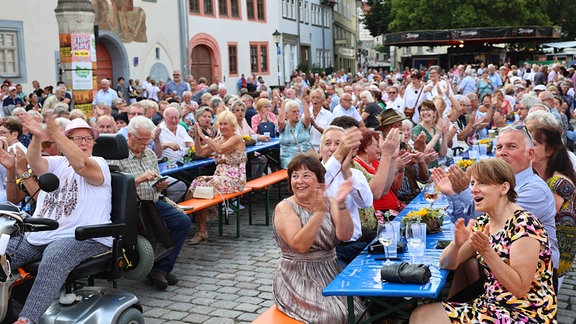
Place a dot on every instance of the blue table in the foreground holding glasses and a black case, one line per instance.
(361, 278)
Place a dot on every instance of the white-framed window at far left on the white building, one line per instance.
(12, 57)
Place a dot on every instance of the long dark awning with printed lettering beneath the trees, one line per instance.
(472, 35)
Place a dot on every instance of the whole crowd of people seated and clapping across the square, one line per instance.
(356, 146)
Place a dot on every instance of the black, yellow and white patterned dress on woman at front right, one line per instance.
(497, 304)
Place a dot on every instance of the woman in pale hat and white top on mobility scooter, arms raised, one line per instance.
(83, 198)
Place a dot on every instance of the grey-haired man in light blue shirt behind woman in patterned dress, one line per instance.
(515, 147)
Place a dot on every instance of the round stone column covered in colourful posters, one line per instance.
(77, 50)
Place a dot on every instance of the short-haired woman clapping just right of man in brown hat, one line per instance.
(432, 126)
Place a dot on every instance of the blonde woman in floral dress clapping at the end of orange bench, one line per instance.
(230, 174)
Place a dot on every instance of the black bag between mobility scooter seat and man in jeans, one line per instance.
(153, 228)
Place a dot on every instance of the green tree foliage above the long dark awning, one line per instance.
(408, 15)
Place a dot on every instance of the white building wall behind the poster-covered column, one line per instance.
(41, 44)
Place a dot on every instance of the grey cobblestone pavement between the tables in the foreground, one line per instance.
(229, 280)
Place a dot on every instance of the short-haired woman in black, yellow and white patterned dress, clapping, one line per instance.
(513, 250)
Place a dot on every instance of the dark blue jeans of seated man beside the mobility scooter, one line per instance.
(178, 224)
